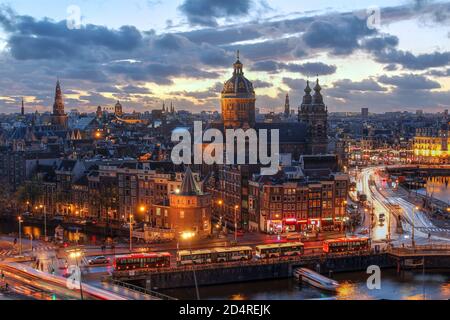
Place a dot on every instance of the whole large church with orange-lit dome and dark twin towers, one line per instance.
(307, 136)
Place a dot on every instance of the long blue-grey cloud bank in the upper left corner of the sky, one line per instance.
(29, 38)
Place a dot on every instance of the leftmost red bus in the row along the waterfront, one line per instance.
(142, 261)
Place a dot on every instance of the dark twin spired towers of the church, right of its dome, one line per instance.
(314, 114)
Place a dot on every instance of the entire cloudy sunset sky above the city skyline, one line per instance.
(142, 52)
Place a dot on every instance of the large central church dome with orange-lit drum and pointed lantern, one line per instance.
(238, 100)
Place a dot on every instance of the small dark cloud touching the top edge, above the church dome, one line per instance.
(206, 12)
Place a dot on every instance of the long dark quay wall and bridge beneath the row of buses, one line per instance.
(255, 270)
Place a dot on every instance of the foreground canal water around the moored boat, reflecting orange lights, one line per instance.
(408, 286)
